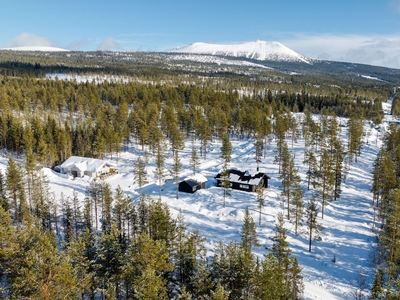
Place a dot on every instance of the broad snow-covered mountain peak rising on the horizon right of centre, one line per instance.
(259, 50)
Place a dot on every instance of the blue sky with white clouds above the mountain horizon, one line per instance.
(364, 31)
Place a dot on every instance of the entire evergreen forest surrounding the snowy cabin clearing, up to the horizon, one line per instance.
(110, 246)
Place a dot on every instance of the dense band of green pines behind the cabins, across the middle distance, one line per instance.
(52, 119)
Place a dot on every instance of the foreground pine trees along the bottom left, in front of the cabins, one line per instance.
(108, 247)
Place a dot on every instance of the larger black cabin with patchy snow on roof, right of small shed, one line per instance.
(244, 181)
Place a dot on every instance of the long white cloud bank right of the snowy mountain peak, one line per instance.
(372, 50)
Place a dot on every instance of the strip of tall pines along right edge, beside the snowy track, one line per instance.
(386, 203)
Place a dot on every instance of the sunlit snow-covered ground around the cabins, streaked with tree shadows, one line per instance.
(348, 221)
